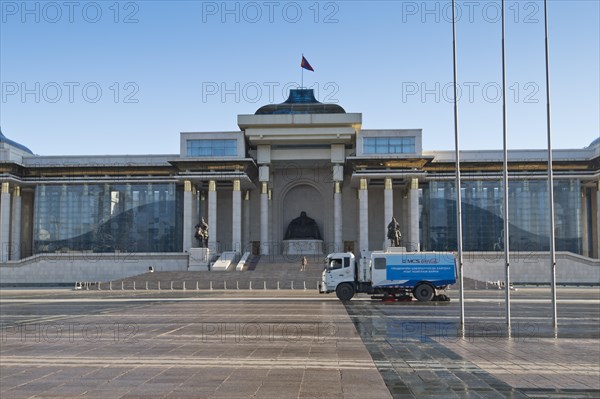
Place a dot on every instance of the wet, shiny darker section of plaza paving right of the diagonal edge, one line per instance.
(421, 351)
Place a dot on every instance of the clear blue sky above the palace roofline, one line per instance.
(162, 68)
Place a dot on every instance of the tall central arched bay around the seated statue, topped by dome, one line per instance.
(300, 150)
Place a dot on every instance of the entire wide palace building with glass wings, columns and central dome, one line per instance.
(96, 218)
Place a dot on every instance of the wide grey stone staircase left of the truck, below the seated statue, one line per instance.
(266, 272)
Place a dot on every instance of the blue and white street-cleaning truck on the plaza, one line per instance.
(390, 273)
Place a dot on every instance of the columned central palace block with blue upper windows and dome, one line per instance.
(300, 157)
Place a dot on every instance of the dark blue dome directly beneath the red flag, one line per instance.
(300, 101)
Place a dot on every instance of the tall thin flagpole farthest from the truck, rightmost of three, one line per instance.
(550, 177)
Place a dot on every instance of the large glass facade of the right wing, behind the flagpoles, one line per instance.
(483, 219)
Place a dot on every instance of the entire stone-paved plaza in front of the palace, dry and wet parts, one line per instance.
(295, 344)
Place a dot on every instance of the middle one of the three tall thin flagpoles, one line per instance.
(505, 183)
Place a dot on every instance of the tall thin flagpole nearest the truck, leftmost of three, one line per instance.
(458, 185)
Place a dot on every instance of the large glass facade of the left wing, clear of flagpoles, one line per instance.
(108, 218)
